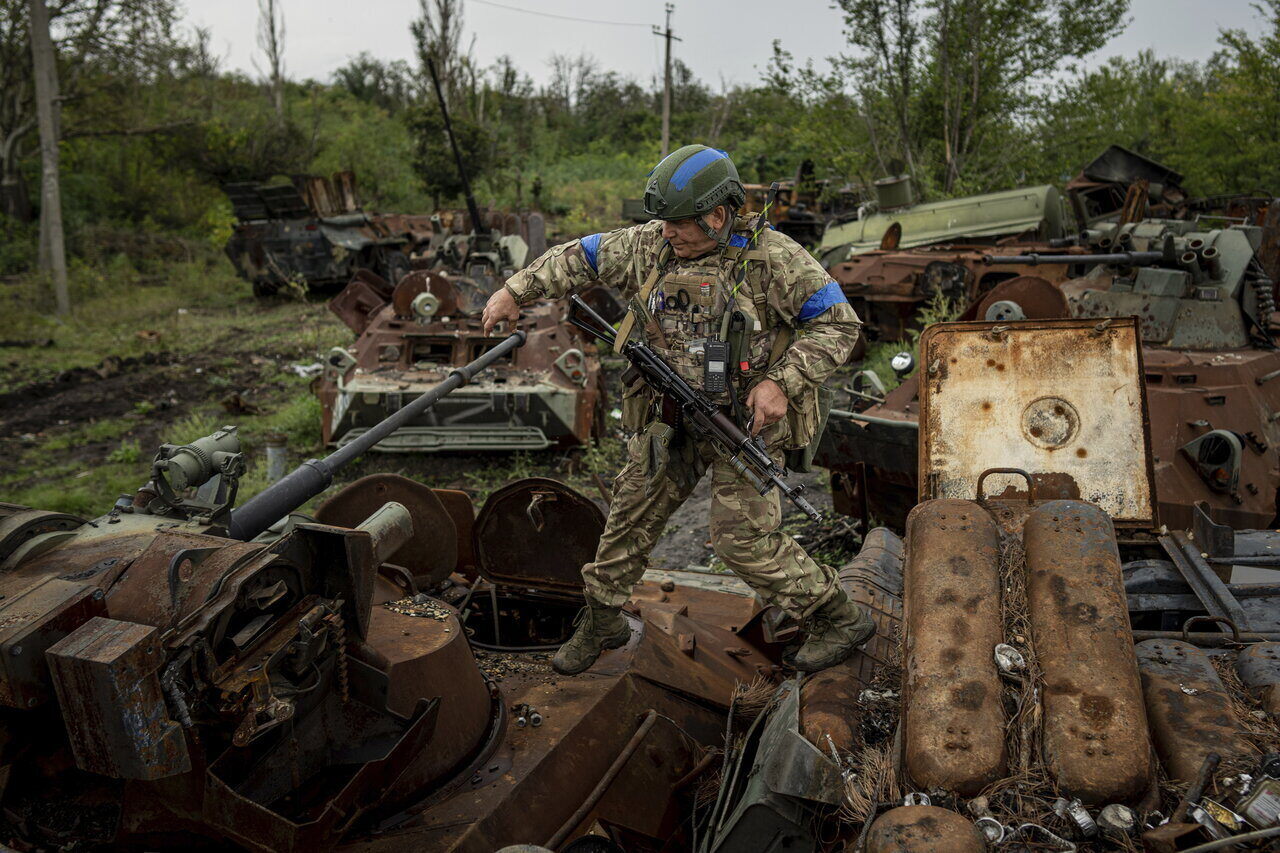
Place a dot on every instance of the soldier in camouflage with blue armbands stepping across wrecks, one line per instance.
(687, 275)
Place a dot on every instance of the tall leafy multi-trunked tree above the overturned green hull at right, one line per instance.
(941, 83)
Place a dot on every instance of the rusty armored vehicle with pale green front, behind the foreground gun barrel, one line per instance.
(414, 332)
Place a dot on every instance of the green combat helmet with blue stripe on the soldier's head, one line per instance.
(691, 183)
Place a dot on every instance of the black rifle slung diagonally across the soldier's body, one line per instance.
(746, 455)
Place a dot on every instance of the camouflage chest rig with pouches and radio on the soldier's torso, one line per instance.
(694, 320)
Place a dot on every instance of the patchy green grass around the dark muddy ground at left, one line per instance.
(216, 337)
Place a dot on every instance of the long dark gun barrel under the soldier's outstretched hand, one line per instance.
(316, 475)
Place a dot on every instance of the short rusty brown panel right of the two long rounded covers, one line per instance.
(1188, 708)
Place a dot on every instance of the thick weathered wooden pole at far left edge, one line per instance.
(53, 257)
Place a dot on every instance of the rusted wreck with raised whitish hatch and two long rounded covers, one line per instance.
(1075, 673)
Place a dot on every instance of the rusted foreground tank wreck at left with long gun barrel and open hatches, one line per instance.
(185, 673)
